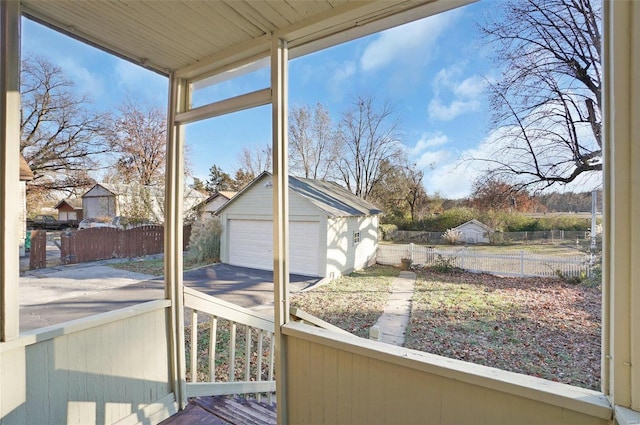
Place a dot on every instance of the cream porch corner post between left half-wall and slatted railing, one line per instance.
(173, 221)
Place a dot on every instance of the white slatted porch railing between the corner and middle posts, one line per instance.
(234, 349)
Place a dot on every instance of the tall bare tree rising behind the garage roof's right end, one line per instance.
(368, 139)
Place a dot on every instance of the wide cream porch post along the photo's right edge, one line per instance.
(621, 268)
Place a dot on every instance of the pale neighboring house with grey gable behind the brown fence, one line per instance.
(110, 200)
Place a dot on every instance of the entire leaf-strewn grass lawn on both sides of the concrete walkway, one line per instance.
(536, 326)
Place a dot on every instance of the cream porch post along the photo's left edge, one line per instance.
(9, 167)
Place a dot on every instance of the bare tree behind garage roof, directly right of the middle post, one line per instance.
(313, 142)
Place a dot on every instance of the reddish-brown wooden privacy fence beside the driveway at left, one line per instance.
(103, 243)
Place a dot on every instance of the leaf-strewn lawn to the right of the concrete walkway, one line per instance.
(539, 327)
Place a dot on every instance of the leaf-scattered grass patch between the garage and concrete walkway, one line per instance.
(354, 302)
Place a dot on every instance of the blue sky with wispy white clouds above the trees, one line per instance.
(432, 71)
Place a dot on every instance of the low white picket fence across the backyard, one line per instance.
(497, 262)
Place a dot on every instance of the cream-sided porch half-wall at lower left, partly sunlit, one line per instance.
(97, 370)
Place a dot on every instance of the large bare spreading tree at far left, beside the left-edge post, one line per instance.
(60, 132)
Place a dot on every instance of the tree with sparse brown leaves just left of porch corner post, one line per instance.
(138, 142)
